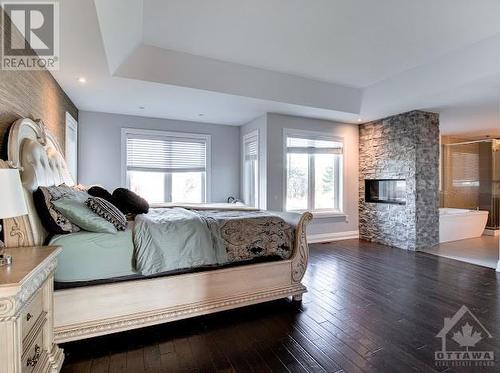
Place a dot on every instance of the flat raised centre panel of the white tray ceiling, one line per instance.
(353, 42)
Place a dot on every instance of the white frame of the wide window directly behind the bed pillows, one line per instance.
(125, 132)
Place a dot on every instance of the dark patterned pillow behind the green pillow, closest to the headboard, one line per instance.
(52, 220)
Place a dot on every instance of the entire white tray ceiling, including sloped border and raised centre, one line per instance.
(235, 60)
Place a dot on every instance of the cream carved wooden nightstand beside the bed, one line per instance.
(26, 312)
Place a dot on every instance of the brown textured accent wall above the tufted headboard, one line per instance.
(35, 95)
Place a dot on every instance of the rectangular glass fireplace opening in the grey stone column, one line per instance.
(385, 191)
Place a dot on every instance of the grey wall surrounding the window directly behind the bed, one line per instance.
(100, 149)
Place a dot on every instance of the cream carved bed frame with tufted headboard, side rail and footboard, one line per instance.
(102, 309)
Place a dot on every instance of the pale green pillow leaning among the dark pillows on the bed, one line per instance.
(79, 214)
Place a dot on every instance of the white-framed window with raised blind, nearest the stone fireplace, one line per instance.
(313, 172)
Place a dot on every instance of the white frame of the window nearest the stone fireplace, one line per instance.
(315, 135)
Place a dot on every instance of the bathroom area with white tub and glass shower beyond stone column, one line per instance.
(469, 219)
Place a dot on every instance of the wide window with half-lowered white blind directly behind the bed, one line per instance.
(167, 166)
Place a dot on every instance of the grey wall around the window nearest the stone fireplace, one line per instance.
(274, 125)
